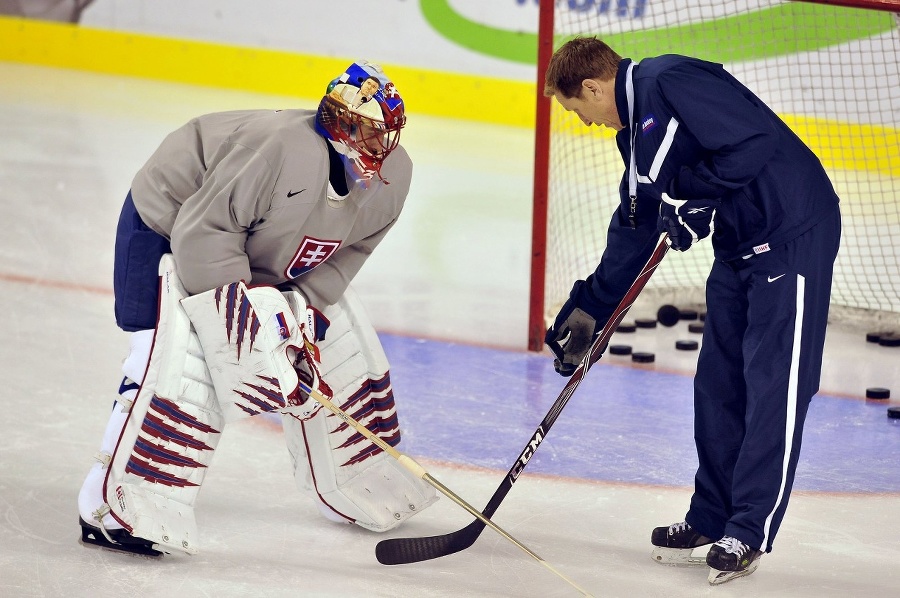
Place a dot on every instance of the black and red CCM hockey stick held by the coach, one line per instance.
(396, 551)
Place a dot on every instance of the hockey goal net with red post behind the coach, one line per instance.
(831, 70)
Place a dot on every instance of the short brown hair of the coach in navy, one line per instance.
(579, 59)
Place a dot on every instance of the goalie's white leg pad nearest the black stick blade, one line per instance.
(351, 479)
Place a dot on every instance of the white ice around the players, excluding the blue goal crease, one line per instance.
(455, 269)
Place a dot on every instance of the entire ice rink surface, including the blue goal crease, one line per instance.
(447, 290)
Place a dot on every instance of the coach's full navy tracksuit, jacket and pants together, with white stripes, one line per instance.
(699, 133)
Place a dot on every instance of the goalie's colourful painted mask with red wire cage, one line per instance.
(361, 116)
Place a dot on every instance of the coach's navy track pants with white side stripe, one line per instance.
(757, 372)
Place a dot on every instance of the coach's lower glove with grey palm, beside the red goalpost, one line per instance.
(575, 329)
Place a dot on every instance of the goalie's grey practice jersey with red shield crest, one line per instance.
(243, 195)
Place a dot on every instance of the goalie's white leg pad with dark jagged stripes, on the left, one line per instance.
(171, 432)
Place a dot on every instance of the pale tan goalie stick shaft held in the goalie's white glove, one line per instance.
(420, 472)
